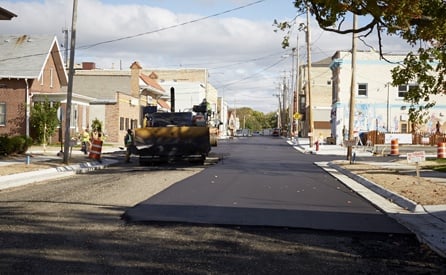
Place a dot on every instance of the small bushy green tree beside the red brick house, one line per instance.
(44, 120)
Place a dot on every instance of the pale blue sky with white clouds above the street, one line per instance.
(235, 40)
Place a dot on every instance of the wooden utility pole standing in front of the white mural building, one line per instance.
(351, 124)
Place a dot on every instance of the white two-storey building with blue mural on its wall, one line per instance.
(378, 105)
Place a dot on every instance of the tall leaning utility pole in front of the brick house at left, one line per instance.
(70, 84)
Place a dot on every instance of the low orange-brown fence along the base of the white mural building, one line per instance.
(432, 139)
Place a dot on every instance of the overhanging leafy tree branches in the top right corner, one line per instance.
(421, 23)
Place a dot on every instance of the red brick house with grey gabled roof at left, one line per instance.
(32, 70)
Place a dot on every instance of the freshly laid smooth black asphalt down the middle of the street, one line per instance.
(262, 181)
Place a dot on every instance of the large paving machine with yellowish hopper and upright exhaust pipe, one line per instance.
(173, 135)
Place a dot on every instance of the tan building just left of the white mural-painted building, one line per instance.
(321, 85)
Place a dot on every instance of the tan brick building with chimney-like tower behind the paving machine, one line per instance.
(119, 96)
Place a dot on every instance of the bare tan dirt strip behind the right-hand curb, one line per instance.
(422, 190)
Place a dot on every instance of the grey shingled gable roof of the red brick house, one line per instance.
(24, 56)
